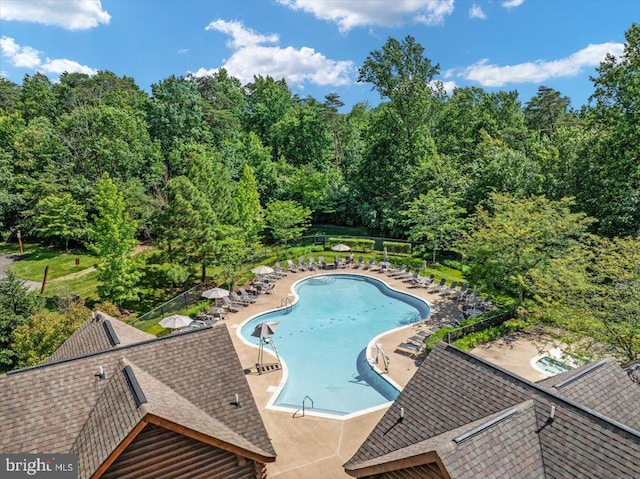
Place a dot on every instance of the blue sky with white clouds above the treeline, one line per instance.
(318, 45)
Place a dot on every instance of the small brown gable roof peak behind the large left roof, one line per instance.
(100, 333)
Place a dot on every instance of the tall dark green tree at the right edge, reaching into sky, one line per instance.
(608, 164)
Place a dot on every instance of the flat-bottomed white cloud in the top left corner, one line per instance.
(68, 14)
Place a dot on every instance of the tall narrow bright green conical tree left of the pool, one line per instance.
(114, 242)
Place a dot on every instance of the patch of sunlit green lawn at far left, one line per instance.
(35, 259)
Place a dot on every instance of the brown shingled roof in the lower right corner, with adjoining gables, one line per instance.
(465, 417)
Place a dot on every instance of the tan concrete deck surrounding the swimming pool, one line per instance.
(313, 446)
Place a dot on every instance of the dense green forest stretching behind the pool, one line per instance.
(539, 199)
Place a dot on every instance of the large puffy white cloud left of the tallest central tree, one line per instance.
(296, 66)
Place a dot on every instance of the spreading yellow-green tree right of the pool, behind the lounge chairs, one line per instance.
(512, 237)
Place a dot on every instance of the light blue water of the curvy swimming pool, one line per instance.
(323, 341)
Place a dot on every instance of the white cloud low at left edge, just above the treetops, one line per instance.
(27, 57)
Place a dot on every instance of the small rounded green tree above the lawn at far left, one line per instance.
(59, 218)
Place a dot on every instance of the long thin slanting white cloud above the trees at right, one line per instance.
(535, 72)
